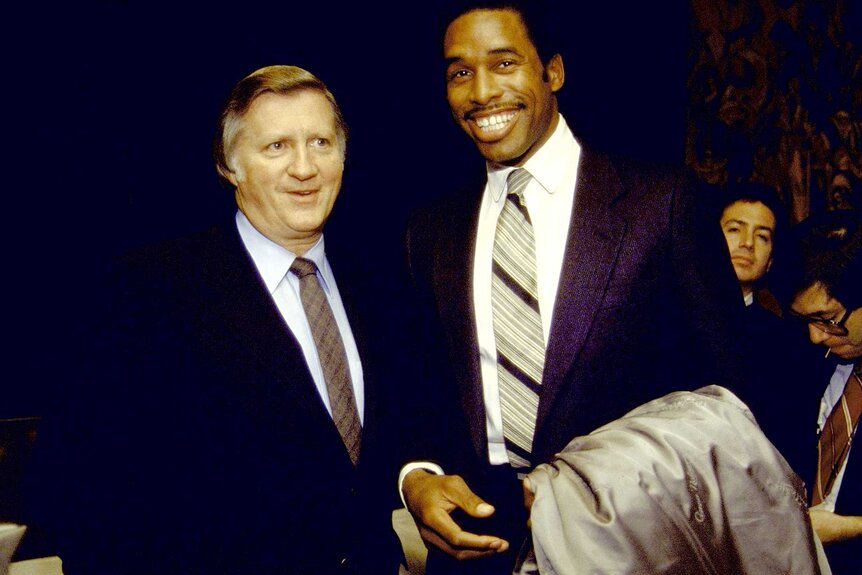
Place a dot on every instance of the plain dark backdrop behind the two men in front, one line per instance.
(111, 114)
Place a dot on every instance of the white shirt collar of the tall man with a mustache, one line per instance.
(545, 165)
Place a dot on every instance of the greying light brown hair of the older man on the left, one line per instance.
(279, 79)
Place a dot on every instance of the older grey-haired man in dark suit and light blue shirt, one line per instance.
(207, 436)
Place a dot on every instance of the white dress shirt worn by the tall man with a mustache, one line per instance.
(549, 197)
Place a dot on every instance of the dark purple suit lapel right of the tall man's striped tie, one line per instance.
(595, 236)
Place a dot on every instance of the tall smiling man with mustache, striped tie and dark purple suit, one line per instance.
(633, 294)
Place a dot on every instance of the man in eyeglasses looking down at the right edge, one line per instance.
(823, 286)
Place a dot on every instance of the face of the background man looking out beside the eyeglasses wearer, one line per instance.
(748, 228)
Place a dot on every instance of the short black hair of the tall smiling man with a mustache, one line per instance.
(538, 18)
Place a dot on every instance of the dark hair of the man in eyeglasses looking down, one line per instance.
(826, 250)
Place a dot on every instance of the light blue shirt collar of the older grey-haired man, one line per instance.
(272, 260)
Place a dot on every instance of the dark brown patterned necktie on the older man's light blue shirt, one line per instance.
(333, 358)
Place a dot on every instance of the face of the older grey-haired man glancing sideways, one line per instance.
(287, 166)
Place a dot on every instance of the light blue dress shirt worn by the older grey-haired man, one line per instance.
(273, 264)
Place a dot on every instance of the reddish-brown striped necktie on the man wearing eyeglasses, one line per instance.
(836, 435)
